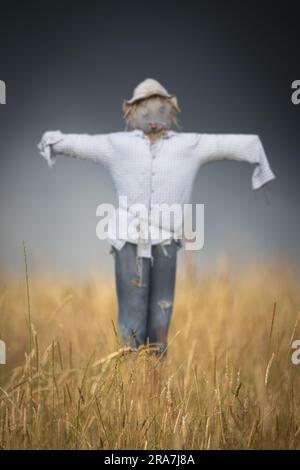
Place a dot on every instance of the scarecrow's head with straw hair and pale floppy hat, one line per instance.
(151, 109)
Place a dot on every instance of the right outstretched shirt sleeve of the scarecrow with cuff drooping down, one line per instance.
(239, 147)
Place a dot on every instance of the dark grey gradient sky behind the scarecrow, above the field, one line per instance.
(69, 65)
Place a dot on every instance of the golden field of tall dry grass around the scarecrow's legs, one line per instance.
(228, 381)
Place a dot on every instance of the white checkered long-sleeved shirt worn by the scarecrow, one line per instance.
(156, 173)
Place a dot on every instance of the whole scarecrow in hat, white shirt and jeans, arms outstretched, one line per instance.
(152, 164)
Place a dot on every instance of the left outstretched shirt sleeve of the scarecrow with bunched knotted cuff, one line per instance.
(96, 148)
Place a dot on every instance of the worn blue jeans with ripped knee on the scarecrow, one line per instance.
(145, 293)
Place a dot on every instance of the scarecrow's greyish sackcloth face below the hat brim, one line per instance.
(152, 114)
